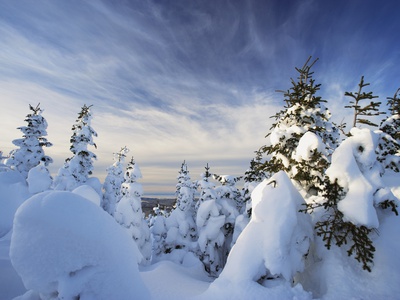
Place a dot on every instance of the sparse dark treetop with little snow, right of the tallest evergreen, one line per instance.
(360, 112)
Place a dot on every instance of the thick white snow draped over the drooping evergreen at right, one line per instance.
(355, 165)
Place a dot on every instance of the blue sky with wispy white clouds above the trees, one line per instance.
(184, 80)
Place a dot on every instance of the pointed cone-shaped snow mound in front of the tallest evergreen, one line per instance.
(270, 249)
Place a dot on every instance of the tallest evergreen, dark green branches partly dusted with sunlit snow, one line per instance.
(303, 112)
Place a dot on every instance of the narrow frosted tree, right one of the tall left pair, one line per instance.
(76, 170)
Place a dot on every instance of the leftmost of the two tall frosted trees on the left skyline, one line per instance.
(30, 152)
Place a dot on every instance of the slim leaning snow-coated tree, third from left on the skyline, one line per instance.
(113, 181)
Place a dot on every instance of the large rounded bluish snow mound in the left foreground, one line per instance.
(65, 247)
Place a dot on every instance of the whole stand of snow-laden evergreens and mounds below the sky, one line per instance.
(314, 217)
